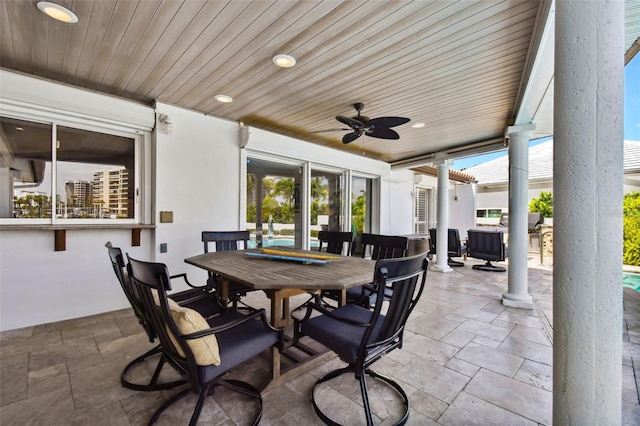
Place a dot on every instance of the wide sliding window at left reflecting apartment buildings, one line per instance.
(60, 173)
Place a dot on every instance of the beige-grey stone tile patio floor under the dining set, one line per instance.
(466, 360)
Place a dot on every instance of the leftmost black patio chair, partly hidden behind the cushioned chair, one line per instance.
(195, 298)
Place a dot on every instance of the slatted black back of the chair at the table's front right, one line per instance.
(405, 277)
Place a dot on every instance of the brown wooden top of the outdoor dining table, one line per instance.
(270, 274)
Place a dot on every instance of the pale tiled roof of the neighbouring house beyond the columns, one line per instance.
(496, 171)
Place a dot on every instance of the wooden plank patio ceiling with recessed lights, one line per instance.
(455, 65)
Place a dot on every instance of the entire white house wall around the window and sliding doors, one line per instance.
(195, 172)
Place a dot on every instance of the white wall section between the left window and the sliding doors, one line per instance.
(197, 170)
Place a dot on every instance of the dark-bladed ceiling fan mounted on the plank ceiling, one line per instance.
(375, 127)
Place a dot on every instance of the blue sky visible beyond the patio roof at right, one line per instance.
(631, 116)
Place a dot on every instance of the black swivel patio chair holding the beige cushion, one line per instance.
(202, 349)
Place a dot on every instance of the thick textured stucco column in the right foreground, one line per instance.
(587, 263)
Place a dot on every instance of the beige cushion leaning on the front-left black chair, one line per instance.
(205, 349)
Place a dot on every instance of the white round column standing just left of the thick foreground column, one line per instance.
(517, 294)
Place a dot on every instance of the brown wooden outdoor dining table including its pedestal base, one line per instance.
(282, 278)
